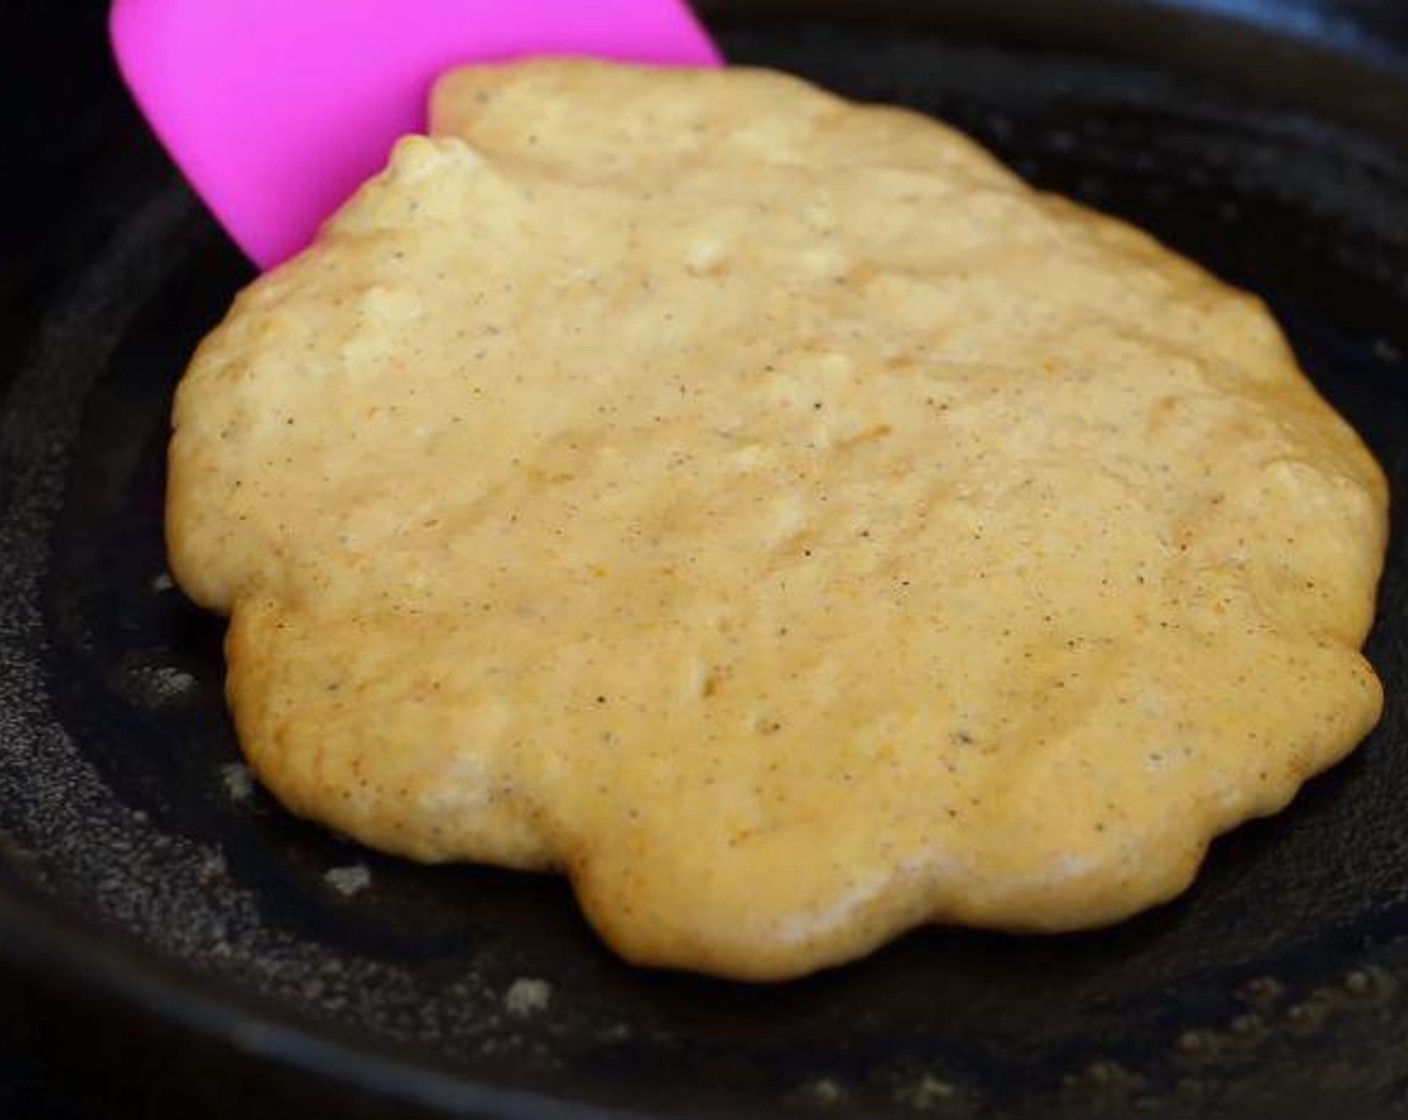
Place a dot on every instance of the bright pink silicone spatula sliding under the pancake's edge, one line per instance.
(278, 109)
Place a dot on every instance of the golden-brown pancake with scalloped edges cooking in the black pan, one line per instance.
(774, 515)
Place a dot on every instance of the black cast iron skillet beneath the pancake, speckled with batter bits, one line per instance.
(181, 938)
